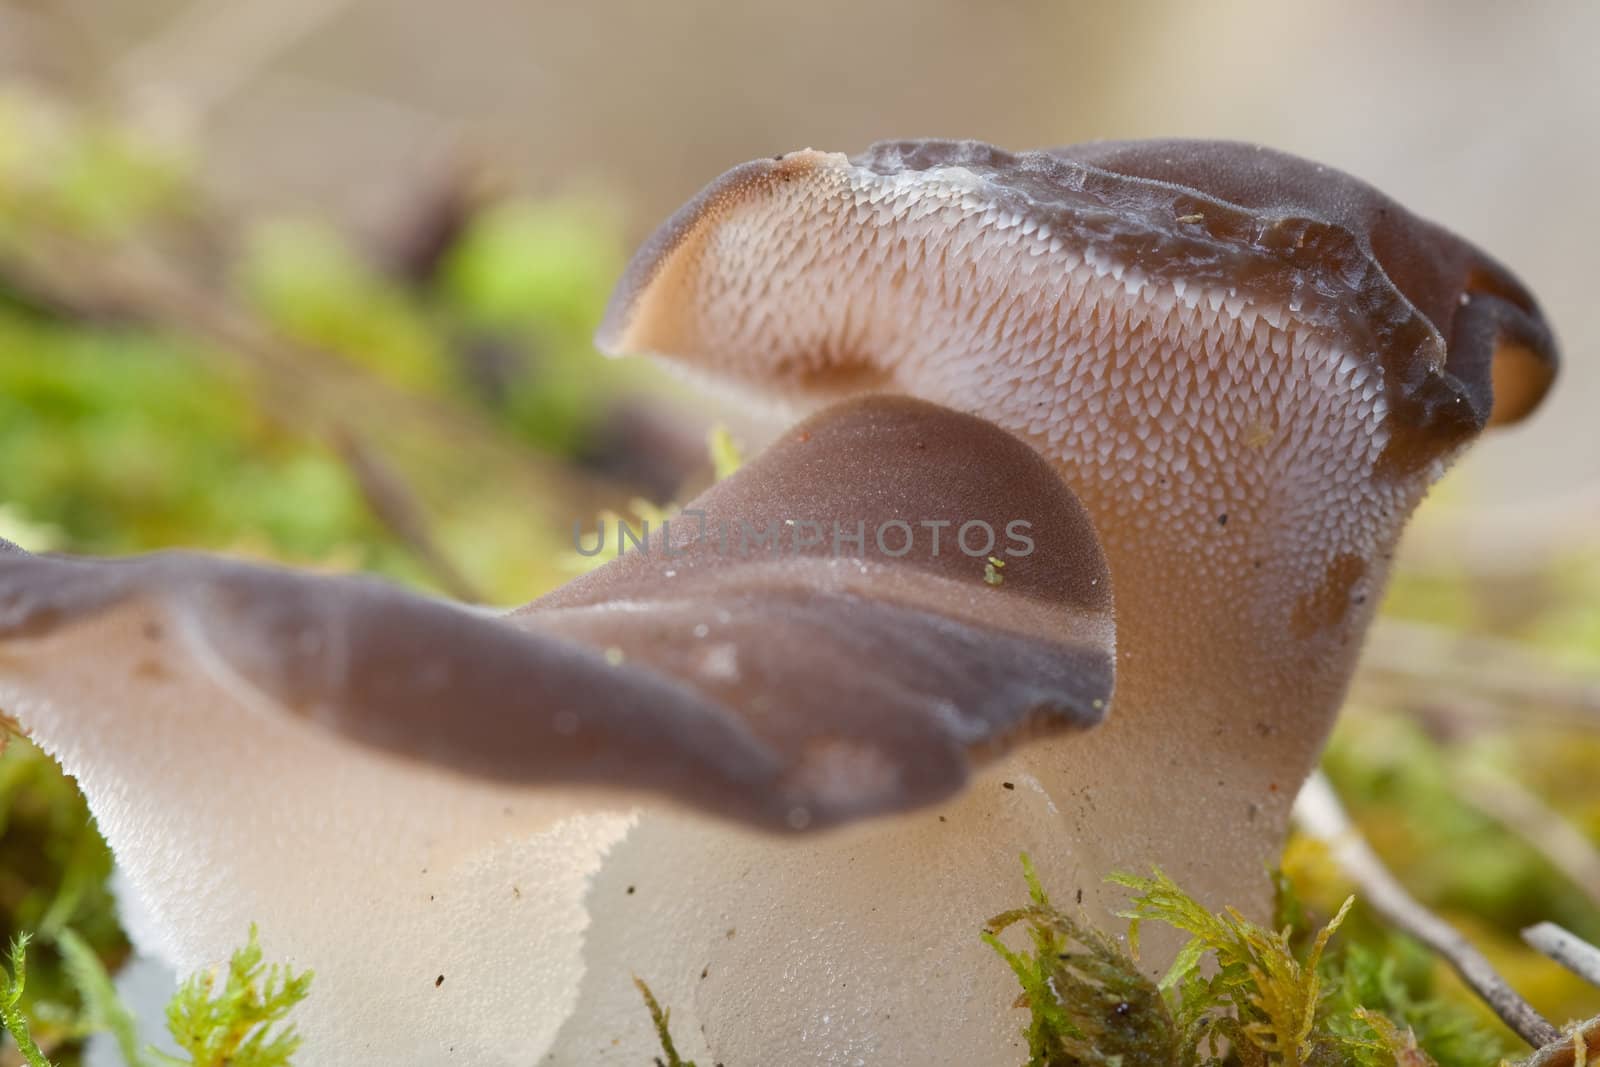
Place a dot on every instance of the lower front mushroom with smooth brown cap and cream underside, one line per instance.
(412, 797)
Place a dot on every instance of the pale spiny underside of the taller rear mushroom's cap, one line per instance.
(1170, 402)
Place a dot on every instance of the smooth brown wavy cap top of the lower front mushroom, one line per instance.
(782, 685)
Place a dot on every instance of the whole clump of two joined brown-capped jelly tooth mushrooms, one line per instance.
(785, 791)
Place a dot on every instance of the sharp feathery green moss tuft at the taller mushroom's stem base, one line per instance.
(1238, 994)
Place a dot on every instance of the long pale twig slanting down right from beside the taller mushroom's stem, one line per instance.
(1321, 815)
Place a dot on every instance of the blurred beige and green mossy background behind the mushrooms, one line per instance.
(316, 279)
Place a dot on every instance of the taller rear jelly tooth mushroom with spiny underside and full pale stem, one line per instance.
(1246, 366)
